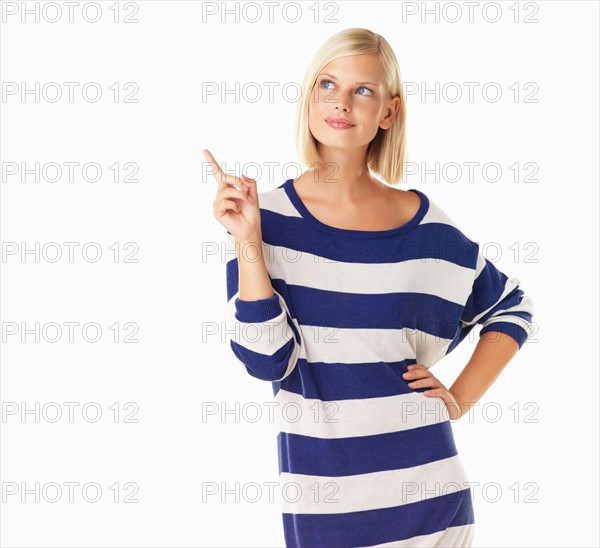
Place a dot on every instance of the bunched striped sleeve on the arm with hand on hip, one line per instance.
(498, 303)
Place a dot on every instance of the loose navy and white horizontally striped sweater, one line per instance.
(364, 459)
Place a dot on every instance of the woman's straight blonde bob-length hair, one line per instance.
(386, 153)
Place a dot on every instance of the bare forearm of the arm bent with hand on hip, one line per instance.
(493, 352)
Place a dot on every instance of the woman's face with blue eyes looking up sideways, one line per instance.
(353, 88)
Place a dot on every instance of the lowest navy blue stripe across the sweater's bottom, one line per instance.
(382, 525)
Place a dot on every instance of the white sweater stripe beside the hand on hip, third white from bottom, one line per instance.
(358, 417)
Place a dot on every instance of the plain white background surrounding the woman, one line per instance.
(546, 230)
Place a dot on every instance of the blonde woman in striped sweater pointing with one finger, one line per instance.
(344, 293)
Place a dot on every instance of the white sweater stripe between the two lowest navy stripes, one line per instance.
(308, 494)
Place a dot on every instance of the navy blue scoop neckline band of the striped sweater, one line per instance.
(290, 190)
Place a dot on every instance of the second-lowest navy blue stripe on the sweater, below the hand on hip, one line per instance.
(364, 454)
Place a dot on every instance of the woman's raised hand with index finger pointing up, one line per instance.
(236, 205)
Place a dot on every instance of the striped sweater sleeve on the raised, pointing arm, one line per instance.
(263, 337)
